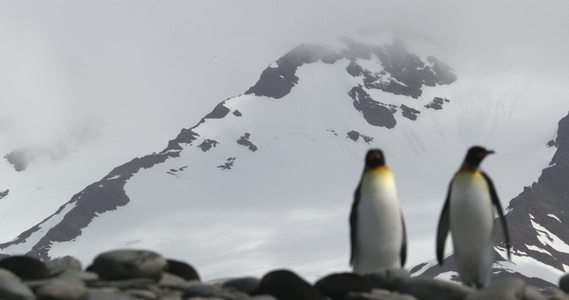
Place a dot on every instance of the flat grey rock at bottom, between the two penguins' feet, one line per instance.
(425, 288)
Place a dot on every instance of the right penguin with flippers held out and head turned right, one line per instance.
(468, 213)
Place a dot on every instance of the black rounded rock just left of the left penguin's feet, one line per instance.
(337, 286)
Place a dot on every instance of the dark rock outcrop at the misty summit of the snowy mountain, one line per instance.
(401, 73)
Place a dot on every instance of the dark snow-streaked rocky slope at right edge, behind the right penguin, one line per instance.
(536, 220)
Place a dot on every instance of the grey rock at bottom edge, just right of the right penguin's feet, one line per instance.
(511, 288)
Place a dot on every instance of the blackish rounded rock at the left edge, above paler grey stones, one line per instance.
(25, 267)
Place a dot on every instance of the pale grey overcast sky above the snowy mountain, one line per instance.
(128, 75)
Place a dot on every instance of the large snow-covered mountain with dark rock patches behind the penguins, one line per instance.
(266, 179)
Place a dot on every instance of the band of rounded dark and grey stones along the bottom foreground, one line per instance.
(140, 274)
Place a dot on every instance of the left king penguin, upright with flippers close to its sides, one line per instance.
(377, 230)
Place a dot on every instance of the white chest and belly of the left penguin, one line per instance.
(380, 229)
